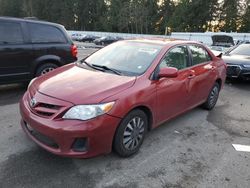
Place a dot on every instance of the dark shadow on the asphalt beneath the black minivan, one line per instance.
(11, 94)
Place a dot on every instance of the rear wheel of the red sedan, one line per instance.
(212, 97)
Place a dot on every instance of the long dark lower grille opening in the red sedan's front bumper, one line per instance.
(42, 138)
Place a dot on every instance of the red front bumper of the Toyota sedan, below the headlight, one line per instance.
(59, 136)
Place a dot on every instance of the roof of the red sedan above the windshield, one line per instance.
(163, 41)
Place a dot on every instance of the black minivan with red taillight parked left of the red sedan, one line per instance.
(30, 48)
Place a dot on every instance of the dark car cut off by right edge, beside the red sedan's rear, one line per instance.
(238, 62)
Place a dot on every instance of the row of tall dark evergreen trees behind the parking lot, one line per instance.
(137, 16)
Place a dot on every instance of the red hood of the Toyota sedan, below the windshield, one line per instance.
(81, 86)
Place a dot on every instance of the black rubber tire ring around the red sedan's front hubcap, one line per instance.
(118, 139)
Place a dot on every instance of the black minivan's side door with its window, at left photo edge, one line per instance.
(15, 52)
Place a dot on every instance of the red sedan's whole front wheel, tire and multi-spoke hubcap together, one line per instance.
(130, 134)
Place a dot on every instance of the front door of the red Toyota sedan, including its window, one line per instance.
(172, 93)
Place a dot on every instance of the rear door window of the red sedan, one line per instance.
(199, 55)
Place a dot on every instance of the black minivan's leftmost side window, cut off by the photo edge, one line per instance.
(11, 33)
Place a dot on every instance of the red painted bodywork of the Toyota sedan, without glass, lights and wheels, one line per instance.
(71, 85)
